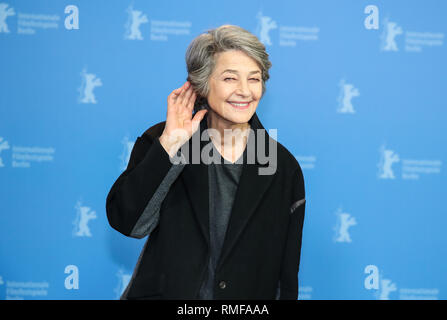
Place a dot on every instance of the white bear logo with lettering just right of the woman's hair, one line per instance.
(289, 35)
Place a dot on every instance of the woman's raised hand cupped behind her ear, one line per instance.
(180, 126)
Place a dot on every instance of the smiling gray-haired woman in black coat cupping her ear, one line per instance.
(221, 229)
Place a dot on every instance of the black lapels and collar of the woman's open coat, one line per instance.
(250, 191)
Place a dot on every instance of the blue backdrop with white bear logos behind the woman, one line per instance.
(357, 93)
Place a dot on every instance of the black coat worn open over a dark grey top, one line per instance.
(262, 245)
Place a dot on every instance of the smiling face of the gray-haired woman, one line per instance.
(235, 86)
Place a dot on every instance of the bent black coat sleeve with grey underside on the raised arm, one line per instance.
(134, 201)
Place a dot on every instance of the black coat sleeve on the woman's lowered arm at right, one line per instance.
(288, 284)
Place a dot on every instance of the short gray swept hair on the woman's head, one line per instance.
(200, 56)
